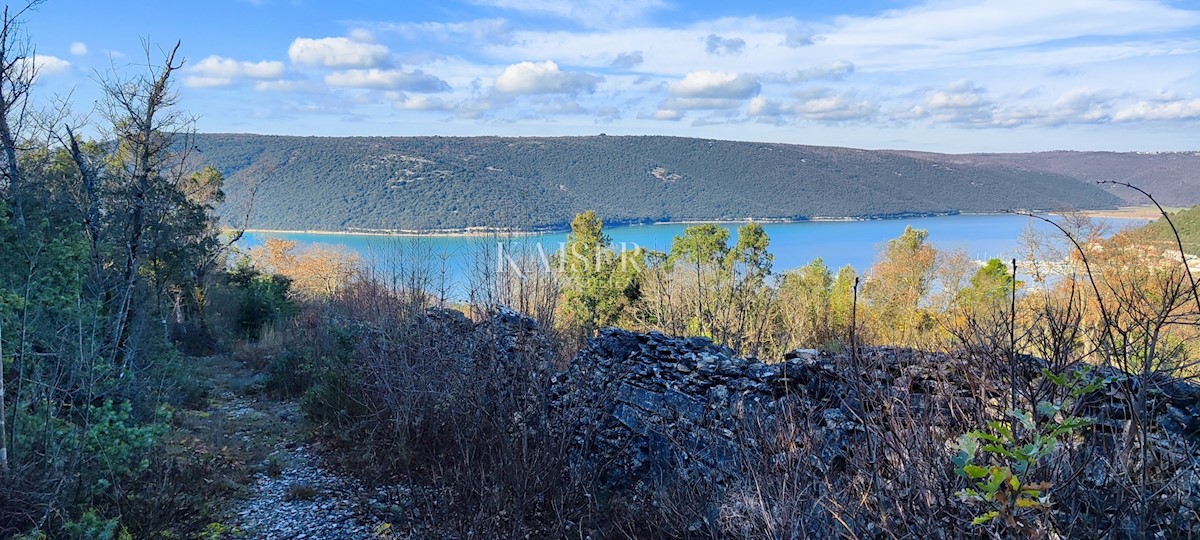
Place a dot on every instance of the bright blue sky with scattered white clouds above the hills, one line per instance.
(944, 76)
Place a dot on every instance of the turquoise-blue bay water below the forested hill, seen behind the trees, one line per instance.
(838, 243)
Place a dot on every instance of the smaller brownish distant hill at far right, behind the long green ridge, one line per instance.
(1173, 178)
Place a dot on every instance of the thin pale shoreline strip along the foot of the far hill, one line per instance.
(1126, 213)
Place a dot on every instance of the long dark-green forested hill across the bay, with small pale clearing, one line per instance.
(448, 183)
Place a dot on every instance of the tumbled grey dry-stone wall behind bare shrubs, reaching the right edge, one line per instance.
(647, 409)
